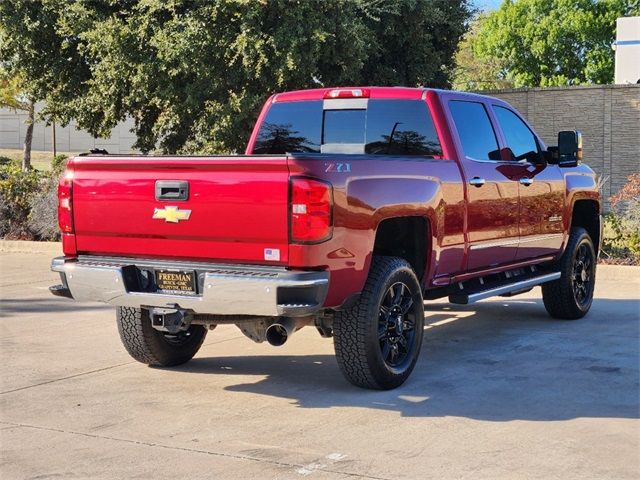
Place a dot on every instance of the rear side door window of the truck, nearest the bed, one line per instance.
(475, 131)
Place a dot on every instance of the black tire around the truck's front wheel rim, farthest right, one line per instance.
(559, 296)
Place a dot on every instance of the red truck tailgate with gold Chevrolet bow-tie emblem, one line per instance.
(236, 208)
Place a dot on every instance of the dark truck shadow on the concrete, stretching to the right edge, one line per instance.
(496, 361)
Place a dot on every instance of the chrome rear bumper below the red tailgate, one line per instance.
(221, 289)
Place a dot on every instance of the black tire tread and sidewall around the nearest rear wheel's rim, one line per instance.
(356, 330)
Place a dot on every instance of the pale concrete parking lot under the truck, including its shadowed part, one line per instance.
(500, 391)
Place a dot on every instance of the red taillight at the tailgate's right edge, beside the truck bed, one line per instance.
(310, 210)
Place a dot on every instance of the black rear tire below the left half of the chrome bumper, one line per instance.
(150, 346)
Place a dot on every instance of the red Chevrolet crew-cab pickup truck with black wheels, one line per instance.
(350, 207)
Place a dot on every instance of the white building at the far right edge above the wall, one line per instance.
(627, 49)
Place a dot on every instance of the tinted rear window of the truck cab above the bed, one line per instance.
(378, 127)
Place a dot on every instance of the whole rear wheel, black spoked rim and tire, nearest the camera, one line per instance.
(378, 340)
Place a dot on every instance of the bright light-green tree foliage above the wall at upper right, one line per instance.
(540, 43)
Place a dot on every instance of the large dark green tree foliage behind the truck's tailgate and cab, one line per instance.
(193, 74)
